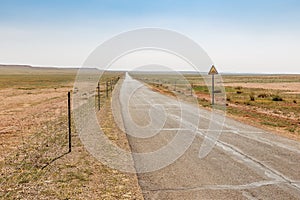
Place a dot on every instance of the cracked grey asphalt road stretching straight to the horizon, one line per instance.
(245, 163)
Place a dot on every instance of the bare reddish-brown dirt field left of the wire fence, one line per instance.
(23, 112)
